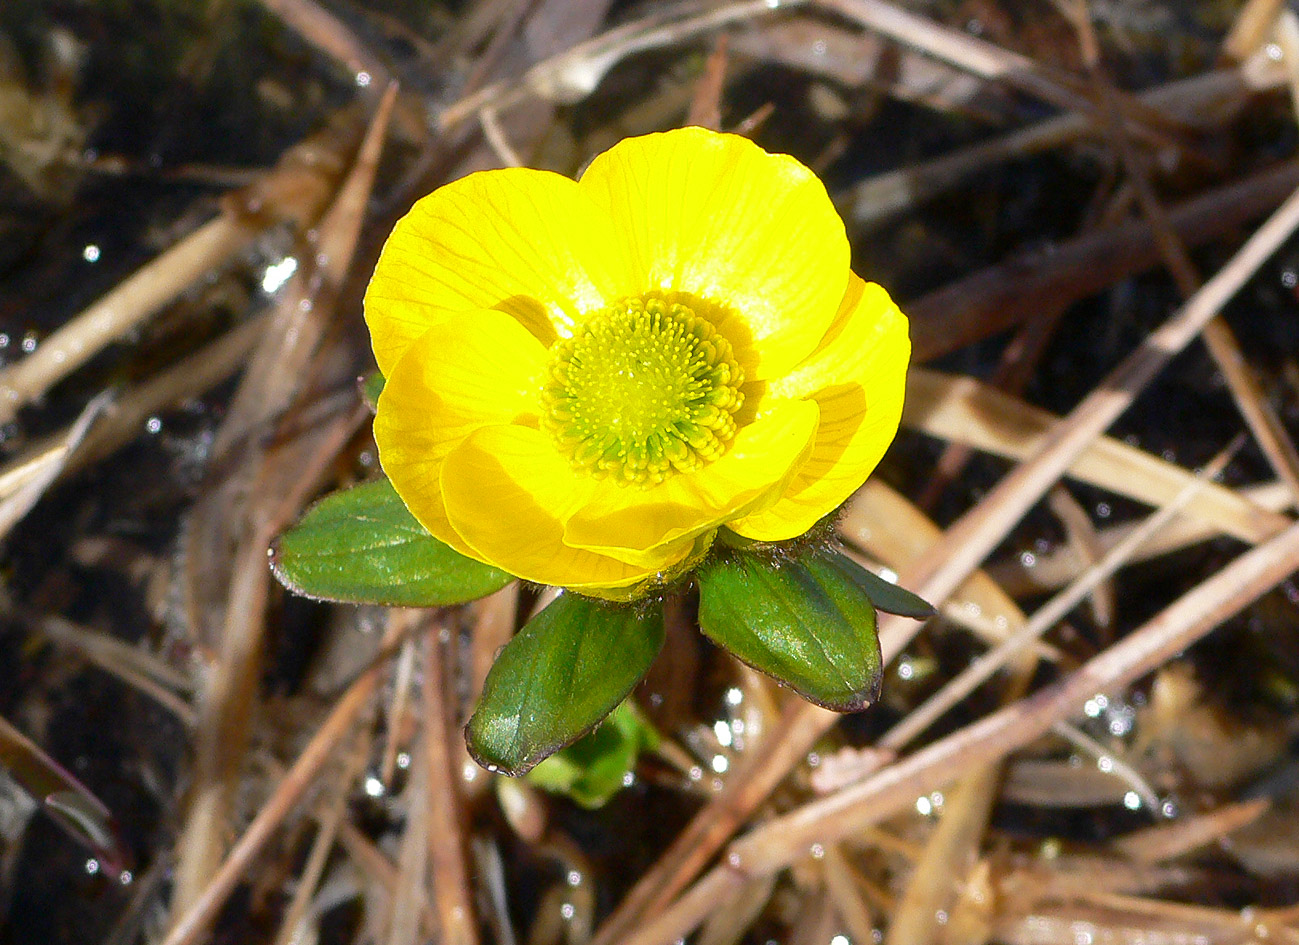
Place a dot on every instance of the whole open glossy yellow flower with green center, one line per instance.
(588, 379)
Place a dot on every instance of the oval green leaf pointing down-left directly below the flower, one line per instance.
(559, 678)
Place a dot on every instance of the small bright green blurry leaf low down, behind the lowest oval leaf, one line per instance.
(596, 768)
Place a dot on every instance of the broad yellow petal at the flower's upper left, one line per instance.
(522, 241)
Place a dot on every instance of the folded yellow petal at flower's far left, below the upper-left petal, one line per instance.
(475, 370)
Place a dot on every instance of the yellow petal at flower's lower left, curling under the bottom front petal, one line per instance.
(509, 493)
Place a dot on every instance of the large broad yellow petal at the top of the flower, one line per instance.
(716, 218)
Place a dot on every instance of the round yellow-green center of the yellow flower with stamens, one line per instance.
(641, 391)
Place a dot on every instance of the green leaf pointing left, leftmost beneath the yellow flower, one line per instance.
(363, 547)
